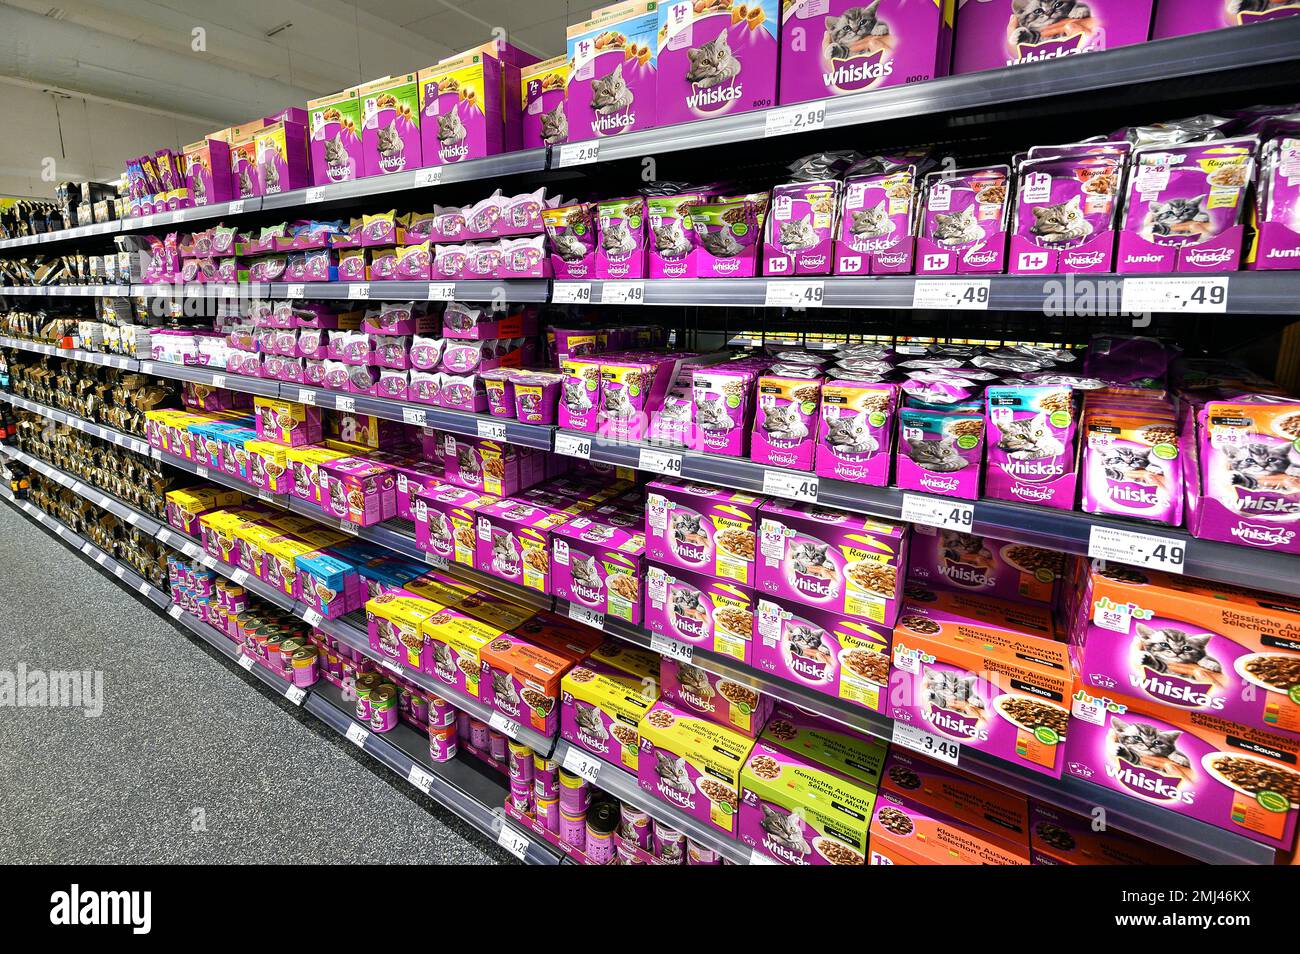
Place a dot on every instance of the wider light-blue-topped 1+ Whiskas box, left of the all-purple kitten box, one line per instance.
(716, 59)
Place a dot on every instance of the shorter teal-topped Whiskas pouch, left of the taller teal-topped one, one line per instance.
(941, 452)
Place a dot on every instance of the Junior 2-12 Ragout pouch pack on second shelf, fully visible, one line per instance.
(1188, 206)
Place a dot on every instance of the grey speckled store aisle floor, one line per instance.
(189, 761)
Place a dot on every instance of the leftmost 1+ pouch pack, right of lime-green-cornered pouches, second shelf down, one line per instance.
(801, 229)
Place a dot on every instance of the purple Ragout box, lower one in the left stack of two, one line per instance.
(701, 612)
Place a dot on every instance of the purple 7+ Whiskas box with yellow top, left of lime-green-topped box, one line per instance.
(694, 765)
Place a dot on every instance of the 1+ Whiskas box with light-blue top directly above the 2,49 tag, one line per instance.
(612, 72)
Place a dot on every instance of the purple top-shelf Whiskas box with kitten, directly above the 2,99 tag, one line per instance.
(837, 47)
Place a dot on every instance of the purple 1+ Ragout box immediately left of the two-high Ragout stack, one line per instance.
(599, 566)
